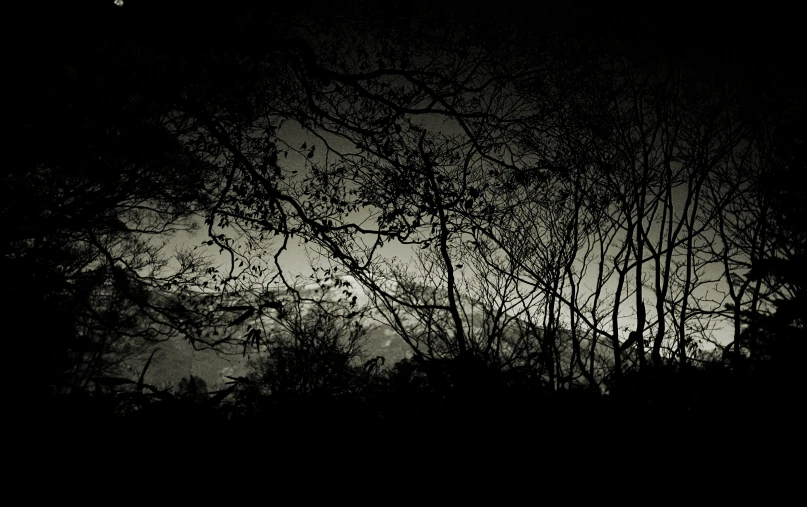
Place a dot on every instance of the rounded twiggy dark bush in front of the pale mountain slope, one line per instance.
(308, 359)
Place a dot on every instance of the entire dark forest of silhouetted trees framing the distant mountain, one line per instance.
(571, 219)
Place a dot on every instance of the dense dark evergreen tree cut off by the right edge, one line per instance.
(775, 332)
